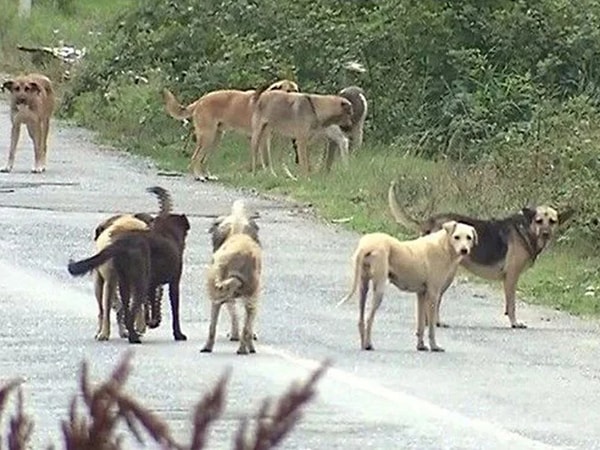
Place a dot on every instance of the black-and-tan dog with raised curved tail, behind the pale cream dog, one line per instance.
(507, 247)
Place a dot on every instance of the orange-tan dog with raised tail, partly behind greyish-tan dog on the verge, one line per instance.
(214, 113)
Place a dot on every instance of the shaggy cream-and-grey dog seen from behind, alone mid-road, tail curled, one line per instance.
(234, 273)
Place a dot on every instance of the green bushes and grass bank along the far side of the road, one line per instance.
(478, 106)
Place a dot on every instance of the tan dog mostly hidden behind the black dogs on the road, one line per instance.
(105, 279)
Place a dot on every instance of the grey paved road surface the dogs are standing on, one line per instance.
(494, 388)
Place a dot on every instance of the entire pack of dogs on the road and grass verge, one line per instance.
(138, 253)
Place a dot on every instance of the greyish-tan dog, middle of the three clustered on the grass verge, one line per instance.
(299, 116)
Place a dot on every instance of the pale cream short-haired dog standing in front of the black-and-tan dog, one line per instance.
(423, 265)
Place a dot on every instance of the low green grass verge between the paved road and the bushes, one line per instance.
(354, 195)
